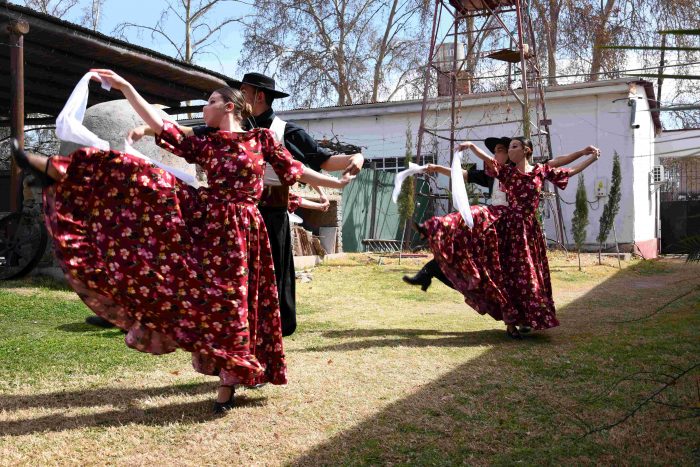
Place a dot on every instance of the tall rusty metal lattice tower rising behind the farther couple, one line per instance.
(450, 51)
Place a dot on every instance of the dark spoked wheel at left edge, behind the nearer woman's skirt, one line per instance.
(23, 241)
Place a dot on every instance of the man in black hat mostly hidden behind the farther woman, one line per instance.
(499, 148)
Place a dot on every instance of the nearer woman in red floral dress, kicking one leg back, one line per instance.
(174, 266)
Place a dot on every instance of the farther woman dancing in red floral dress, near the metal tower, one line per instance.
(500, 265)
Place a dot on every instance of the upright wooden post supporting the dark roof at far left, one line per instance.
(16, 29)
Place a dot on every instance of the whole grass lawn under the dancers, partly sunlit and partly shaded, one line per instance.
(380, 373)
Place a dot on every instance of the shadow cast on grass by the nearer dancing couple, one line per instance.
(128, 411)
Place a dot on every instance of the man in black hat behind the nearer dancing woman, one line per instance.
(260, 92)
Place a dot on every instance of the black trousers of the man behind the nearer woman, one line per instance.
(280, 235)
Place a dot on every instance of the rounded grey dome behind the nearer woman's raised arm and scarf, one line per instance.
(111, 121)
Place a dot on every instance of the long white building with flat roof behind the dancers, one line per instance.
(613, 115)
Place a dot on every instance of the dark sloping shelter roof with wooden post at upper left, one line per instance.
(45, 57)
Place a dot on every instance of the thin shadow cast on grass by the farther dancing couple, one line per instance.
(382, 338)
